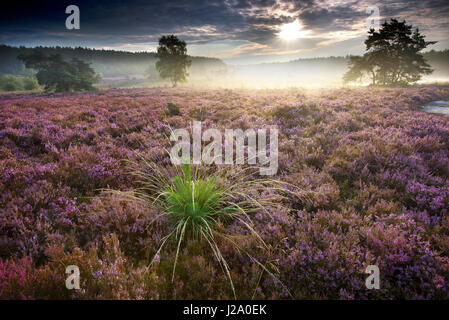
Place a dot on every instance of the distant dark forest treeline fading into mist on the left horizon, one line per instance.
(109, 63)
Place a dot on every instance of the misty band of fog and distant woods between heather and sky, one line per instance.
(127, 69)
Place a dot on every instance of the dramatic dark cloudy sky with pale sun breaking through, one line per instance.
(236, 31)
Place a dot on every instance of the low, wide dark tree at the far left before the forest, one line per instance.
(59, 75)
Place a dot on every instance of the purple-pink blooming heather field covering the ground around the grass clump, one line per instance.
(367, 173)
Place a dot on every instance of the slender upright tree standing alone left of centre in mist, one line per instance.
(172, 60)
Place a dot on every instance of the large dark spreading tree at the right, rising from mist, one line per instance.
(392, 56)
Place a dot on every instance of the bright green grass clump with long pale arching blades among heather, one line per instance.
(198, 203)
